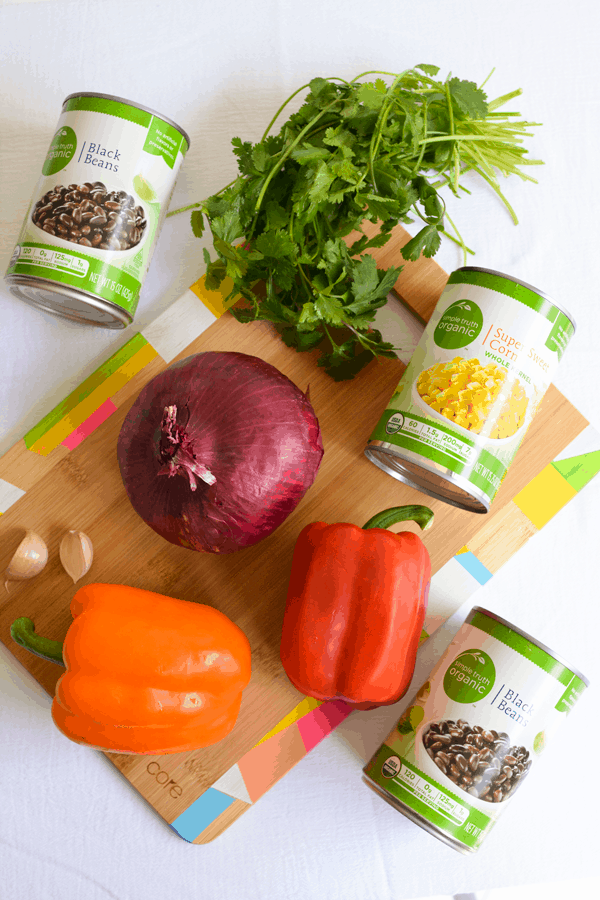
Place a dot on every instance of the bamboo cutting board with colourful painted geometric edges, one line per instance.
(64, 475)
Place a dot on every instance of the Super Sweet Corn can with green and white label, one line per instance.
(472, 387)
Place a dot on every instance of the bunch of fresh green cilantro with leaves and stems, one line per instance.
(354, 151)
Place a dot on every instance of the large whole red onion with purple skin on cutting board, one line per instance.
(218, 450)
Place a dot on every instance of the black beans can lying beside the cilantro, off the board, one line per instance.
(89, 233)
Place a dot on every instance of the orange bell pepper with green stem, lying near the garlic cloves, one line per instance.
(145, 673)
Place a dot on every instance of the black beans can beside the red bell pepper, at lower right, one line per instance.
(475, 730)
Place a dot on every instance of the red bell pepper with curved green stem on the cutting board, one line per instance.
(355, 609)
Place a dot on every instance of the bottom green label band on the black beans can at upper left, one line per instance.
(101, 278)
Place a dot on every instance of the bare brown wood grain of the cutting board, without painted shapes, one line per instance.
(82, 489)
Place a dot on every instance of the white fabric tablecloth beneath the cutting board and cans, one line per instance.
(70, 827)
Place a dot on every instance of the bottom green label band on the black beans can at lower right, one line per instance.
(470, 832)
